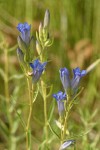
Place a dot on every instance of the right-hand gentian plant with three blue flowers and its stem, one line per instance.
(71, 87)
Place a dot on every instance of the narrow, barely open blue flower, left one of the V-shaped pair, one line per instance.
(65, 79)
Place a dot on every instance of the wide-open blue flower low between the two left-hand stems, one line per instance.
(38, 68)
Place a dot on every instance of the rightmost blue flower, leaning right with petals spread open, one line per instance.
(78, 74)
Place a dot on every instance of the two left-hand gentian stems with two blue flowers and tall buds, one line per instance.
(33, 69)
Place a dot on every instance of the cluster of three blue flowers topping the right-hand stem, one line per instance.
(69, 85)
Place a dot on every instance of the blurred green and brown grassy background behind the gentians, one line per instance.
(75, 27)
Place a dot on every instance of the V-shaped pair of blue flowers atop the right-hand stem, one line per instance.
(67, 82)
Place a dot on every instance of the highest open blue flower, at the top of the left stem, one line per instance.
(25, 31)
